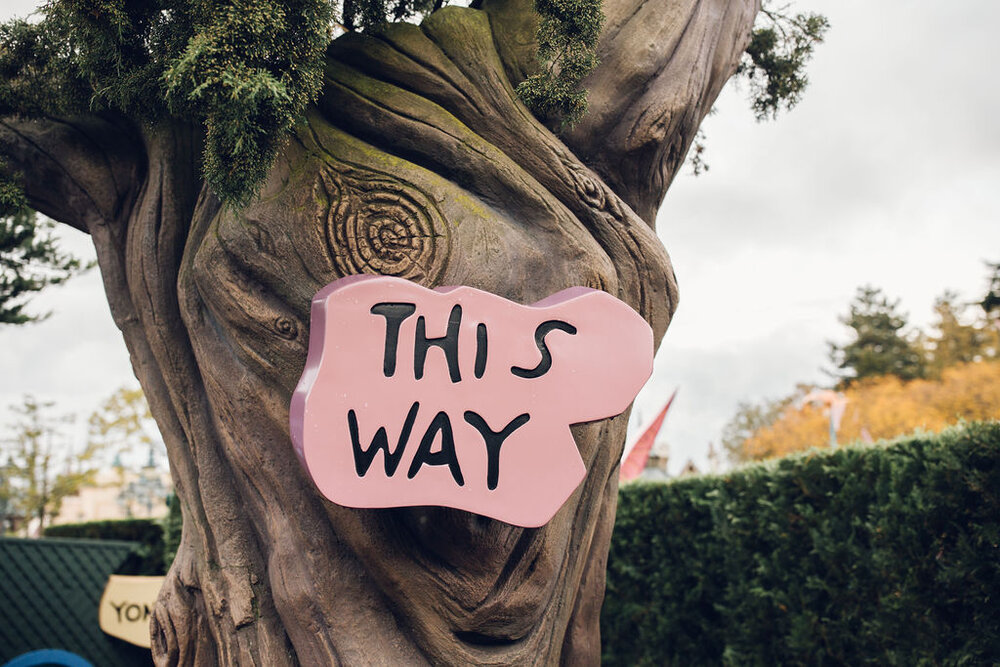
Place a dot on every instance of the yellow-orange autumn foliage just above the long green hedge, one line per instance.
(886, 407)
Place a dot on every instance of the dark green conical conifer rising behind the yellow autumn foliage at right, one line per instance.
(879, 345)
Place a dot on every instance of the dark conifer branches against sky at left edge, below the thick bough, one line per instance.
(30, 260)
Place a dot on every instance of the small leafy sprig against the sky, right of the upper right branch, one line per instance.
(775, 60)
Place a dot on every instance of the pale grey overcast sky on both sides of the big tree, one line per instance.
(886, 173)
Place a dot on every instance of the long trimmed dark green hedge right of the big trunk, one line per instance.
(881, 555)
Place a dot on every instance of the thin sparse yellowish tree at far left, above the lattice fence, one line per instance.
(42, 465)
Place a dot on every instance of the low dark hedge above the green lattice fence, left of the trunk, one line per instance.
(148, 557)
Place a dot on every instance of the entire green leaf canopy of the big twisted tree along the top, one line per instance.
(245, 70)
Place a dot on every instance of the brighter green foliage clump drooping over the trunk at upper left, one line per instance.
(248, 69)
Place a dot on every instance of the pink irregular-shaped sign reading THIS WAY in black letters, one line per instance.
(460, 398)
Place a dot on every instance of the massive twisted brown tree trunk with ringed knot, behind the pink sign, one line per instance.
(417, 161)
